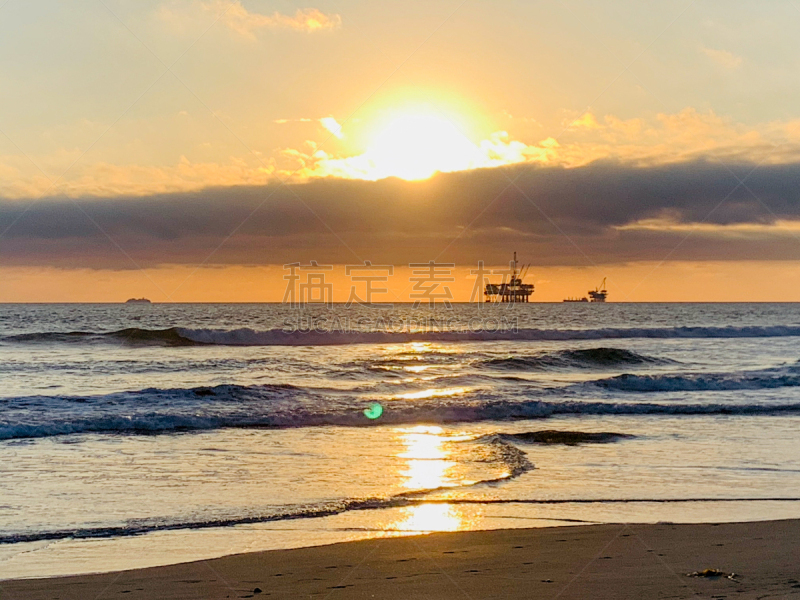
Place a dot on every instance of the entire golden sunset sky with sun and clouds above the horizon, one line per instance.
(185, 150)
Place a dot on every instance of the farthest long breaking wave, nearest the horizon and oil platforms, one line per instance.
(280, 337)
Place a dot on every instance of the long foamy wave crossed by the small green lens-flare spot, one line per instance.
(157, 411)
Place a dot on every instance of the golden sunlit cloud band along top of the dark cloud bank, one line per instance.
(662, 139)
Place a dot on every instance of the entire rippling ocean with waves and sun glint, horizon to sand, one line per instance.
(136, 435)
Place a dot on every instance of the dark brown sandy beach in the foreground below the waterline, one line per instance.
(586, 562)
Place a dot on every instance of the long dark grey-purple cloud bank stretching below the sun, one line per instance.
(567, 216)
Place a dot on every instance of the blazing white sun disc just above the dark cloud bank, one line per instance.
(416, 146)
